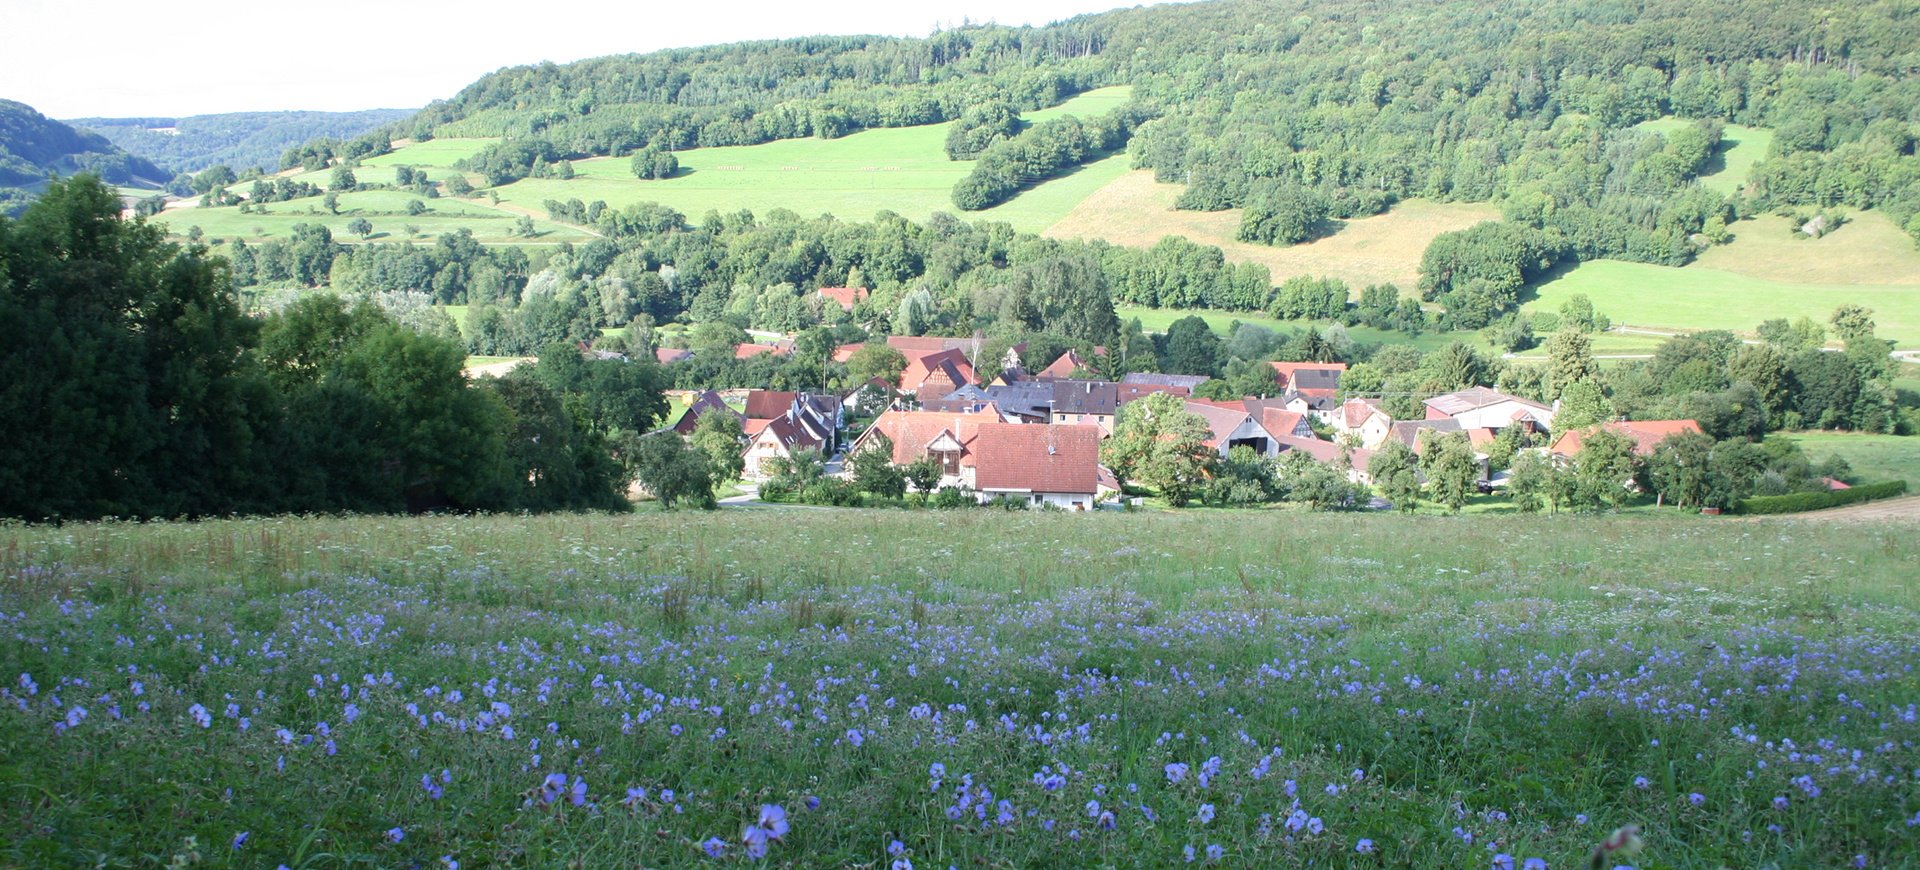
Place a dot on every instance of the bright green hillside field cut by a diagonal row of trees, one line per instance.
(900, 170)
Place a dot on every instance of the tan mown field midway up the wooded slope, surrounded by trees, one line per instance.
(1138, 212)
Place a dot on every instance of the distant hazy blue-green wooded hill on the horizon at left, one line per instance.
(237, 139)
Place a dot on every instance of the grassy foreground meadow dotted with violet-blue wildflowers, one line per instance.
(959, 690)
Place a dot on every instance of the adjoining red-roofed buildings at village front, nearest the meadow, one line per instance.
(1038, 464)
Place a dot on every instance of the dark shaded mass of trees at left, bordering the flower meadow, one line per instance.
(139, 389)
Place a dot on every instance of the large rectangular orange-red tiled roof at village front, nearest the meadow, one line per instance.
(1036, 458)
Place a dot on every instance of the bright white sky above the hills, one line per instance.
(143, 59)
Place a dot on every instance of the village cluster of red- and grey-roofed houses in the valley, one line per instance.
(1038, 437)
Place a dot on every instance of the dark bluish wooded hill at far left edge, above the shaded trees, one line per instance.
(34, 145)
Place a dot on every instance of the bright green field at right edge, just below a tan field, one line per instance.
(1694, 299)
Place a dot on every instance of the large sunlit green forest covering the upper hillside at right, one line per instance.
(1305, 112)
